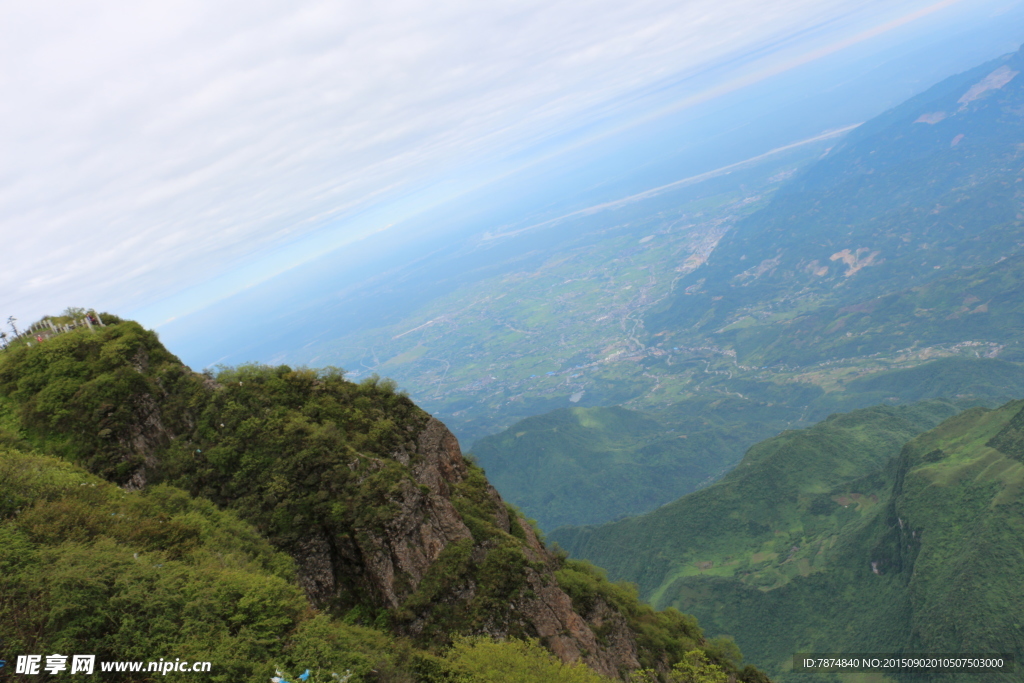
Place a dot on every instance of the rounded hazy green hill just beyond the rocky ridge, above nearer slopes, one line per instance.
(590, 465)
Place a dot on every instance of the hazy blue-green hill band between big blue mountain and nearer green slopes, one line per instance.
(591, 465)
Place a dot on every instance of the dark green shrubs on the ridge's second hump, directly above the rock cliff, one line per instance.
(290, 449)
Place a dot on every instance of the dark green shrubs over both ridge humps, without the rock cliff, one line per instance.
(286, 449)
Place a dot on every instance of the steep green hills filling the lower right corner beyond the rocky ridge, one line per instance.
(918, 554)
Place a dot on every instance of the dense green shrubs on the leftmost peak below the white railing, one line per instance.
(84, 395)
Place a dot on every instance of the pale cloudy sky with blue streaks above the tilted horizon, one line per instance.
(160, 157)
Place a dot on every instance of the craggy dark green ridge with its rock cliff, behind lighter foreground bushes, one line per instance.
(388, 523)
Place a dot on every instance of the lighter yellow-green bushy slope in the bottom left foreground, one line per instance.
(87, 568)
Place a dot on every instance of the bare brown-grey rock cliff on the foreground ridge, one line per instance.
(391, 564)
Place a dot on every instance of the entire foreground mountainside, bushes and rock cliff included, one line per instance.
(276, 518)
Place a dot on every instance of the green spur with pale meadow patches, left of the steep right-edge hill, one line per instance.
(753, 518)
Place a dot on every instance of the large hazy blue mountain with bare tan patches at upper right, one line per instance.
(908, 234)
